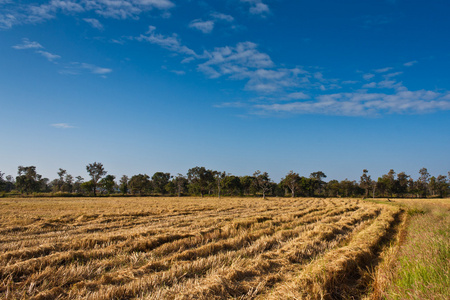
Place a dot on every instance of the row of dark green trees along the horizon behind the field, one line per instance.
(201, 181)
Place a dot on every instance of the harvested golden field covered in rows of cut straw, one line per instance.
(191, 248)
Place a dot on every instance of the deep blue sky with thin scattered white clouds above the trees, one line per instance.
(234, 85)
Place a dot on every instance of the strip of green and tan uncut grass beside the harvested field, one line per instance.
(418, 267)
